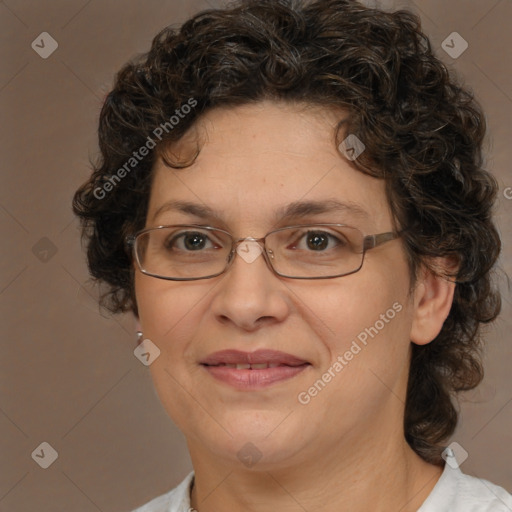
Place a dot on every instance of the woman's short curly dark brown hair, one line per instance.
(422, 129)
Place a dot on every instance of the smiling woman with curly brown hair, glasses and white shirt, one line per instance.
(291, 201)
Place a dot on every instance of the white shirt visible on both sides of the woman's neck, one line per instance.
(454, 492)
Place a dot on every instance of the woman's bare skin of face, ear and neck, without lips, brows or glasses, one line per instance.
(345, 449)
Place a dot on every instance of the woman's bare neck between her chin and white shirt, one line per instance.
(378, 473)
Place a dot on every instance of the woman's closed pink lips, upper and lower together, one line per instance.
(284, 366)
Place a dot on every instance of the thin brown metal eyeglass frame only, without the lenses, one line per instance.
(369, 242)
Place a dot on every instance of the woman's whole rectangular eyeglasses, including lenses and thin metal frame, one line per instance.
(313, 251)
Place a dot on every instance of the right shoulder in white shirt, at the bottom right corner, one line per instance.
(458, 492)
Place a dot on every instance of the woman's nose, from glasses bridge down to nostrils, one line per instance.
(250, 295)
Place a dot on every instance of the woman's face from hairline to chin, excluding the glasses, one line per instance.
(255, 161)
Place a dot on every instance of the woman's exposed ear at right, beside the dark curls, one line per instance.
(433, 297)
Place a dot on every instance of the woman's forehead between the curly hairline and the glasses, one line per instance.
(259, 162)
